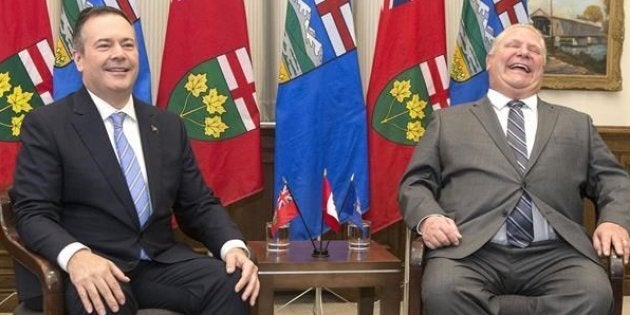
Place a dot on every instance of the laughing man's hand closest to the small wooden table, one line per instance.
(439, 231)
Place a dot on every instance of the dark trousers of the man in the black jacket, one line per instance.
(197, 286)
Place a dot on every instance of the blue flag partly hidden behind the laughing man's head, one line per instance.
(482, 21)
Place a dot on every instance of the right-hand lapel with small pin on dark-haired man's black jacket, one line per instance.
(150, 137)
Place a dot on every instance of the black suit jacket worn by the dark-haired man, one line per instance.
(69, 187)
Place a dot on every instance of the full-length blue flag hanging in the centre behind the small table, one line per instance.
(320, 110)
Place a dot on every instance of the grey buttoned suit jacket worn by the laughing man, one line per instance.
(463, 168)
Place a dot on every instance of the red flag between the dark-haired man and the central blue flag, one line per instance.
(207, 79)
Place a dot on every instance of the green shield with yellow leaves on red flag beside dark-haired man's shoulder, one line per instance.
(216, 99)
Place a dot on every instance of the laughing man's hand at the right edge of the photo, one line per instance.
(607, 234)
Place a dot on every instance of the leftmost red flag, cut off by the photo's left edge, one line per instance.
(26, 61)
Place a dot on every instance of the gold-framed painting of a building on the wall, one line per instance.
(584, 41)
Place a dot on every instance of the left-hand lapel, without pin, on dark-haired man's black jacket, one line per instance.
(90, 128)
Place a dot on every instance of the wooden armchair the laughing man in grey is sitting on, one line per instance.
(510, 304)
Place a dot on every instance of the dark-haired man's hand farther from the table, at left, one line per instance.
(95, 279)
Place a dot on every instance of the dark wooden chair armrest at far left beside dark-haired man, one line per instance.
(49, 275)
